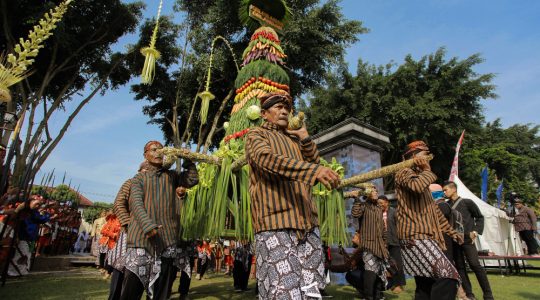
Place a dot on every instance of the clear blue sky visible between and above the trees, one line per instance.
(103, 146)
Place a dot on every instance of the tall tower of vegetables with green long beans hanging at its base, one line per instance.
(222, 195)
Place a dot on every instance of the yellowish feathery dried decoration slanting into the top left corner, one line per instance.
(26, 49)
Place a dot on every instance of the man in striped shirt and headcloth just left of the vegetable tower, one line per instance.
(153, 229)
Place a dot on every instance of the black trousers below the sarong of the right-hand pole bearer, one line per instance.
(435, 289)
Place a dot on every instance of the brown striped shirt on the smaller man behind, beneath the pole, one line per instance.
(372, 237)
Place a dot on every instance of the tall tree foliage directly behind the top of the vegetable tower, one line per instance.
(314, 40)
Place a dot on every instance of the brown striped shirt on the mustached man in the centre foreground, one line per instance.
(283, 170)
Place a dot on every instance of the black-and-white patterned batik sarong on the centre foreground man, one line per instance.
(289, 267)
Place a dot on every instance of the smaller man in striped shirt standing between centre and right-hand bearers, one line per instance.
(372, 247)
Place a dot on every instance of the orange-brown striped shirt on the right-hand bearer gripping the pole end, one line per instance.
(418, 217)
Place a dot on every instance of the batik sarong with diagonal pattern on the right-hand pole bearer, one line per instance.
(426, 259)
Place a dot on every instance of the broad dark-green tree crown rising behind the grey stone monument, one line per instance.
(431, 99)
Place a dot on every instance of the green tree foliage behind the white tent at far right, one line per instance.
(512, 155)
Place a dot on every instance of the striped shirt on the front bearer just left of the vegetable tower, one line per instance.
(153, 202)
